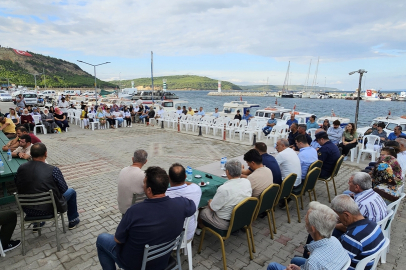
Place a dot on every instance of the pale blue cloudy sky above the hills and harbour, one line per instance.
(245, 42)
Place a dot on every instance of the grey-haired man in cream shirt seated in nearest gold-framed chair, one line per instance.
(218, 210)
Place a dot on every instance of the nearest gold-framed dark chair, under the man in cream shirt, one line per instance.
(242, 216)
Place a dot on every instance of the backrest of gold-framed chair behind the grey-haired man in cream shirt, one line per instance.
(243, 214)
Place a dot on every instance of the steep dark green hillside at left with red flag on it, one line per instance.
(58, 73)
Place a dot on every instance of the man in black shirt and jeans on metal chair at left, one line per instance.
(36, 176)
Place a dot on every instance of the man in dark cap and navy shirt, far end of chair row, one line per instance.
(328, 153)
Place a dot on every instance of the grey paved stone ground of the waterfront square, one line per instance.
(91, 161)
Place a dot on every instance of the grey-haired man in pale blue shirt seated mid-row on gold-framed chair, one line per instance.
(289, 163)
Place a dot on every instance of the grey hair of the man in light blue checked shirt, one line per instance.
(323, 218)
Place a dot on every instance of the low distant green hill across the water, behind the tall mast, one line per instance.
(178, 82)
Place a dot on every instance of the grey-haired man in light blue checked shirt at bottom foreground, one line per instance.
(326, 252)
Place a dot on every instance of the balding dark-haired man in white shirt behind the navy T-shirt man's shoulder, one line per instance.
(180, 188)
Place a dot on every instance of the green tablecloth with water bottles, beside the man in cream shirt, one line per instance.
(209, 190)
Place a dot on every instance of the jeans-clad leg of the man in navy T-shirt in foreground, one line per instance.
(106, 250)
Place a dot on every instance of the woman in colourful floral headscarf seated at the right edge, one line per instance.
(387, 175)
